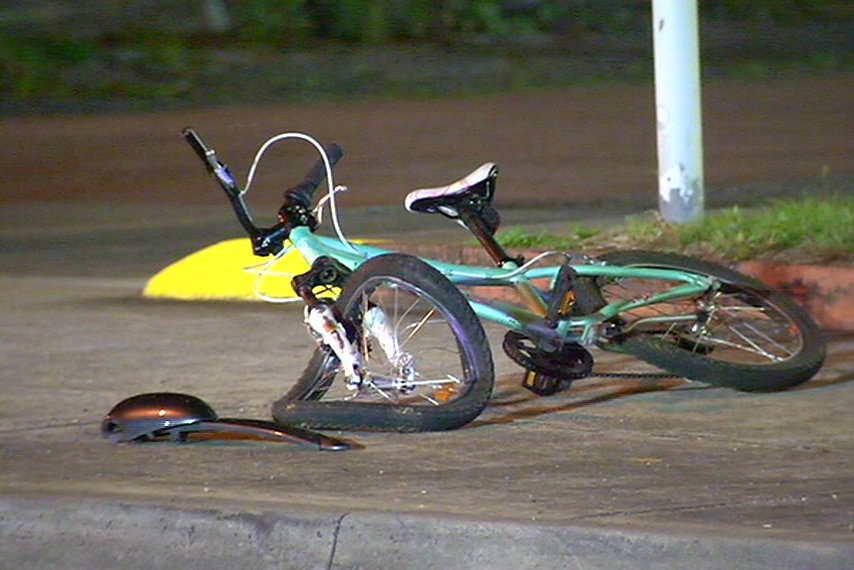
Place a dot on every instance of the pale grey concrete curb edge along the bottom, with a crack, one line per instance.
(42, 533)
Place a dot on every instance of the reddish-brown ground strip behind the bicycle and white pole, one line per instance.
(578, 145)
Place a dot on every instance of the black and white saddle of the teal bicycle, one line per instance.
(446, 199)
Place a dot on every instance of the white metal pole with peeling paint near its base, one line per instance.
(678, 110)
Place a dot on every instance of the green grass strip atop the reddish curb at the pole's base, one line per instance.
(807, 230)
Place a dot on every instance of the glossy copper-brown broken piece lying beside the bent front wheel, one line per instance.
(172, 416)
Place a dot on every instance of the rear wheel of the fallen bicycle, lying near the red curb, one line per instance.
(746, 335)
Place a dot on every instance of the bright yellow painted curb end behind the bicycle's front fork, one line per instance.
(227, 271)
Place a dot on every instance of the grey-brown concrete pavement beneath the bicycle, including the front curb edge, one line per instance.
(614, 473)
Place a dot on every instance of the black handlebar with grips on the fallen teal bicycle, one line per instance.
(266, 241)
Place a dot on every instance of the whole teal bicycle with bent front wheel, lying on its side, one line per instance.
(401, 345)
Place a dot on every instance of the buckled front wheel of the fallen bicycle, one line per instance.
(426, 364)
